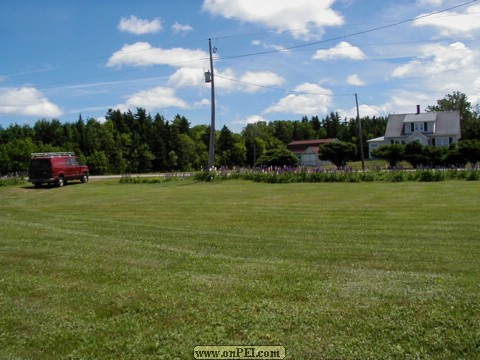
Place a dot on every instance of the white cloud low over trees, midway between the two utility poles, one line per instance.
(309, 99)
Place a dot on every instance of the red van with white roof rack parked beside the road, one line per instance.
(56, 168)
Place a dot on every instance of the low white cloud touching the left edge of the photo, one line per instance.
(27, 101)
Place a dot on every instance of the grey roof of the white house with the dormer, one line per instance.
(446, 123)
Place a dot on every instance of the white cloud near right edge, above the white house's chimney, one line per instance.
(436, 59)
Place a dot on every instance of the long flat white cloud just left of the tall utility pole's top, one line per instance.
(143, 54)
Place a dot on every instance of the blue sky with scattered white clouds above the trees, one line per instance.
(272, 59)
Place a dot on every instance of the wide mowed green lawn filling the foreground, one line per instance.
(329, 271)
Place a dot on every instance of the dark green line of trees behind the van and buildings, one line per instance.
(137, 142)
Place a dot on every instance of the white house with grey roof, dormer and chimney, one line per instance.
(433, 128)
